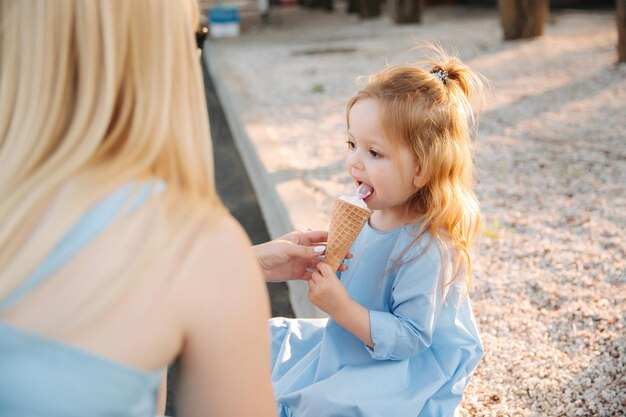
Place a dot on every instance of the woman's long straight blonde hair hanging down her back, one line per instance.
(95, 94)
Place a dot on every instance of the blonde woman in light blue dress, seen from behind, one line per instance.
(116, 255)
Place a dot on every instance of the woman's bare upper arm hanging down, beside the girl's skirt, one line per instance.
(225, 361)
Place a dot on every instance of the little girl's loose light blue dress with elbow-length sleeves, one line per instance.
(426, 344)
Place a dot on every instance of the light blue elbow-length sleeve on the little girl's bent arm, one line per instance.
(416, 303)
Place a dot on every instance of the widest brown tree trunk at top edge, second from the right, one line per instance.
(523, 18)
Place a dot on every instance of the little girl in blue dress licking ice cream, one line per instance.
(401, 339)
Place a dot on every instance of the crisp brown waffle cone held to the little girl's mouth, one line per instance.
(346, 221)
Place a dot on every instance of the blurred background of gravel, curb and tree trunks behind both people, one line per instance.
(550, 267)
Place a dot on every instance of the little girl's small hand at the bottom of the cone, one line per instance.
(326, 291)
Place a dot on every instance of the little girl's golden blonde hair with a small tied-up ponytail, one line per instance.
(429, 113)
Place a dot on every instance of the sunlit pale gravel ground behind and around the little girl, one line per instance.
(550, 268)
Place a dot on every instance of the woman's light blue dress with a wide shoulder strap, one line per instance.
(43, 377)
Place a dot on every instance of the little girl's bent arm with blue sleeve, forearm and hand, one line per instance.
(403, 331)
